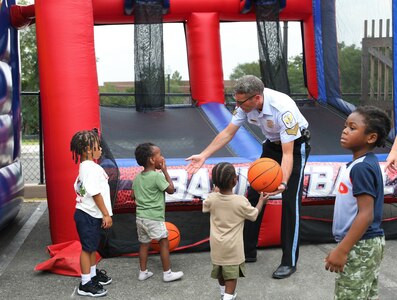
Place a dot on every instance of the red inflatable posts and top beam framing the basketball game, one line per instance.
(68, 76)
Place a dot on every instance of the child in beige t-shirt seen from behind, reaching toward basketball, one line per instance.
(228, 213)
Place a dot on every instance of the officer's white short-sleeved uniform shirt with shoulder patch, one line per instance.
(279, 120)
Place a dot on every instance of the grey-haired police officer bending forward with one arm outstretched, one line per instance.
(287, 142)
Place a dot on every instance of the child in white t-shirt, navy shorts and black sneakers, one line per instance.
(93, 209)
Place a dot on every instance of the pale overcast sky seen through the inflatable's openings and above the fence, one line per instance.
(114, 44)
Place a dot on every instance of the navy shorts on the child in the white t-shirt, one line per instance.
(89, 229)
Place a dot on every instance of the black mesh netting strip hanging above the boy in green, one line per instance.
(149, 56)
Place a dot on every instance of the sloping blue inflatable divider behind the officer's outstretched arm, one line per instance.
(243, 143)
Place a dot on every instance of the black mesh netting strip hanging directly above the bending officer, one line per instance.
(273, 64)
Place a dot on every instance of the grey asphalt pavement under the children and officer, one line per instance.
(23, 245)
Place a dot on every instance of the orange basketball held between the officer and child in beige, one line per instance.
(265, 175)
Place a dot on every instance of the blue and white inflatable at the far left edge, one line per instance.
(11, 177)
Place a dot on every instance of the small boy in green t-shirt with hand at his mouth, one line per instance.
(148, 190)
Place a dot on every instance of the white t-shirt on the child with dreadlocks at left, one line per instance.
(92, 180)
